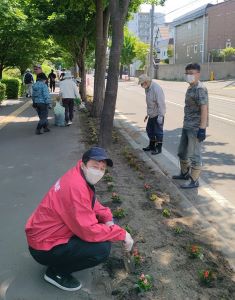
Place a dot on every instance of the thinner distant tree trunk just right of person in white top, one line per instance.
(82, 69)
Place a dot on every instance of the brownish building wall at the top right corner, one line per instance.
(221, 26)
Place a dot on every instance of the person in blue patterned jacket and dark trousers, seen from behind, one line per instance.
(41, 102)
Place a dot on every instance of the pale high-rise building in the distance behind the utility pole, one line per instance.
(141, 22)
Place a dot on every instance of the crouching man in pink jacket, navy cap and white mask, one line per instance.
(71, 230)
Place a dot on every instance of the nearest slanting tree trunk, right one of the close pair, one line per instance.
(118, 9)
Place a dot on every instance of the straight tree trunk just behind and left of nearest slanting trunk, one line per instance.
(102, 24)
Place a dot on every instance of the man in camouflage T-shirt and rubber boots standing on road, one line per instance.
(194, 128)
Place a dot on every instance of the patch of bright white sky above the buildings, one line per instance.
(181, 7)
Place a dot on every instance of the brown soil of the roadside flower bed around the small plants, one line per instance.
(162, 242)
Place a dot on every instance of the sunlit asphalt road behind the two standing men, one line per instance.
(215, 198)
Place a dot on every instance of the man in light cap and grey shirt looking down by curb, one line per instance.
(156, 109)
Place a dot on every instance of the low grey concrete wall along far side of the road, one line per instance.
(221, 70)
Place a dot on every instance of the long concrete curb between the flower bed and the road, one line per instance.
(134, 139)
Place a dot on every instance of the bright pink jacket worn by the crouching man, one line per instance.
(66, 210)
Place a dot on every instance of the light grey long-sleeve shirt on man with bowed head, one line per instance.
(155, 100)
